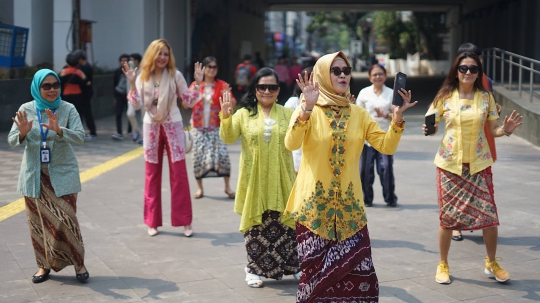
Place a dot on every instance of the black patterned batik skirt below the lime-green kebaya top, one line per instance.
(271, 248)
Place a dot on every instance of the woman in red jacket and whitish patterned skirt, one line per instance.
(210, 156)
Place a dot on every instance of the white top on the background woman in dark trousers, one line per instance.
(369, 100)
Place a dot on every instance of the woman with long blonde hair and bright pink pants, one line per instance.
(157, 88)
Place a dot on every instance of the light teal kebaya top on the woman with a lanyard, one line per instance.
(63, 168)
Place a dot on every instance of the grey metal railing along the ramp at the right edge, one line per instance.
(495, 56)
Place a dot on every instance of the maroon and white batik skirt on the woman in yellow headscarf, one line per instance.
(336, 272)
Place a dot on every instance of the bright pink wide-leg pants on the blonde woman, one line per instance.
(181, 214)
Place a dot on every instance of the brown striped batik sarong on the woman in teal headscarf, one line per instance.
(54, 228)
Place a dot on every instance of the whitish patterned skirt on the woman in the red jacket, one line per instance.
(210, 156)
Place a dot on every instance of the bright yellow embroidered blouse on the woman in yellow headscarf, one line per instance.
(327, 195)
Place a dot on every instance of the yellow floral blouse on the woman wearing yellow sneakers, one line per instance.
(464, 139)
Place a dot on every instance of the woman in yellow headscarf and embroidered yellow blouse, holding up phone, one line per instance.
(326, 201)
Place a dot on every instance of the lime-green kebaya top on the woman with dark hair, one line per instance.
(266, 173)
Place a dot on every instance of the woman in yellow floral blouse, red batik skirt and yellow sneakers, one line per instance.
(464, 183)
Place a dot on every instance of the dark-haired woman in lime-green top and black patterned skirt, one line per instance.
(266, 176)
